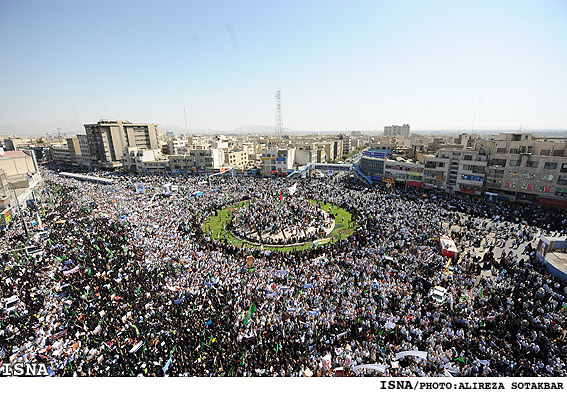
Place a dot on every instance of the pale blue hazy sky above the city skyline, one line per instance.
(340, 65)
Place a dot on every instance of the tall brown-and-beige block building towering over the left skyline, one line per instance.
(108, 139)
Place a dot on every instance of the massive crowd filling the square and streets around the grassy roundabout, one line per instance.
(129, 284)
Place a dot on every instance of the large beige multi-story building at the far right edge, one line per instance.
(526, 169)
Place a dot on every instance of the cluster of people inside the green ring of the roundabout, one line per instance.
(280, 220)
